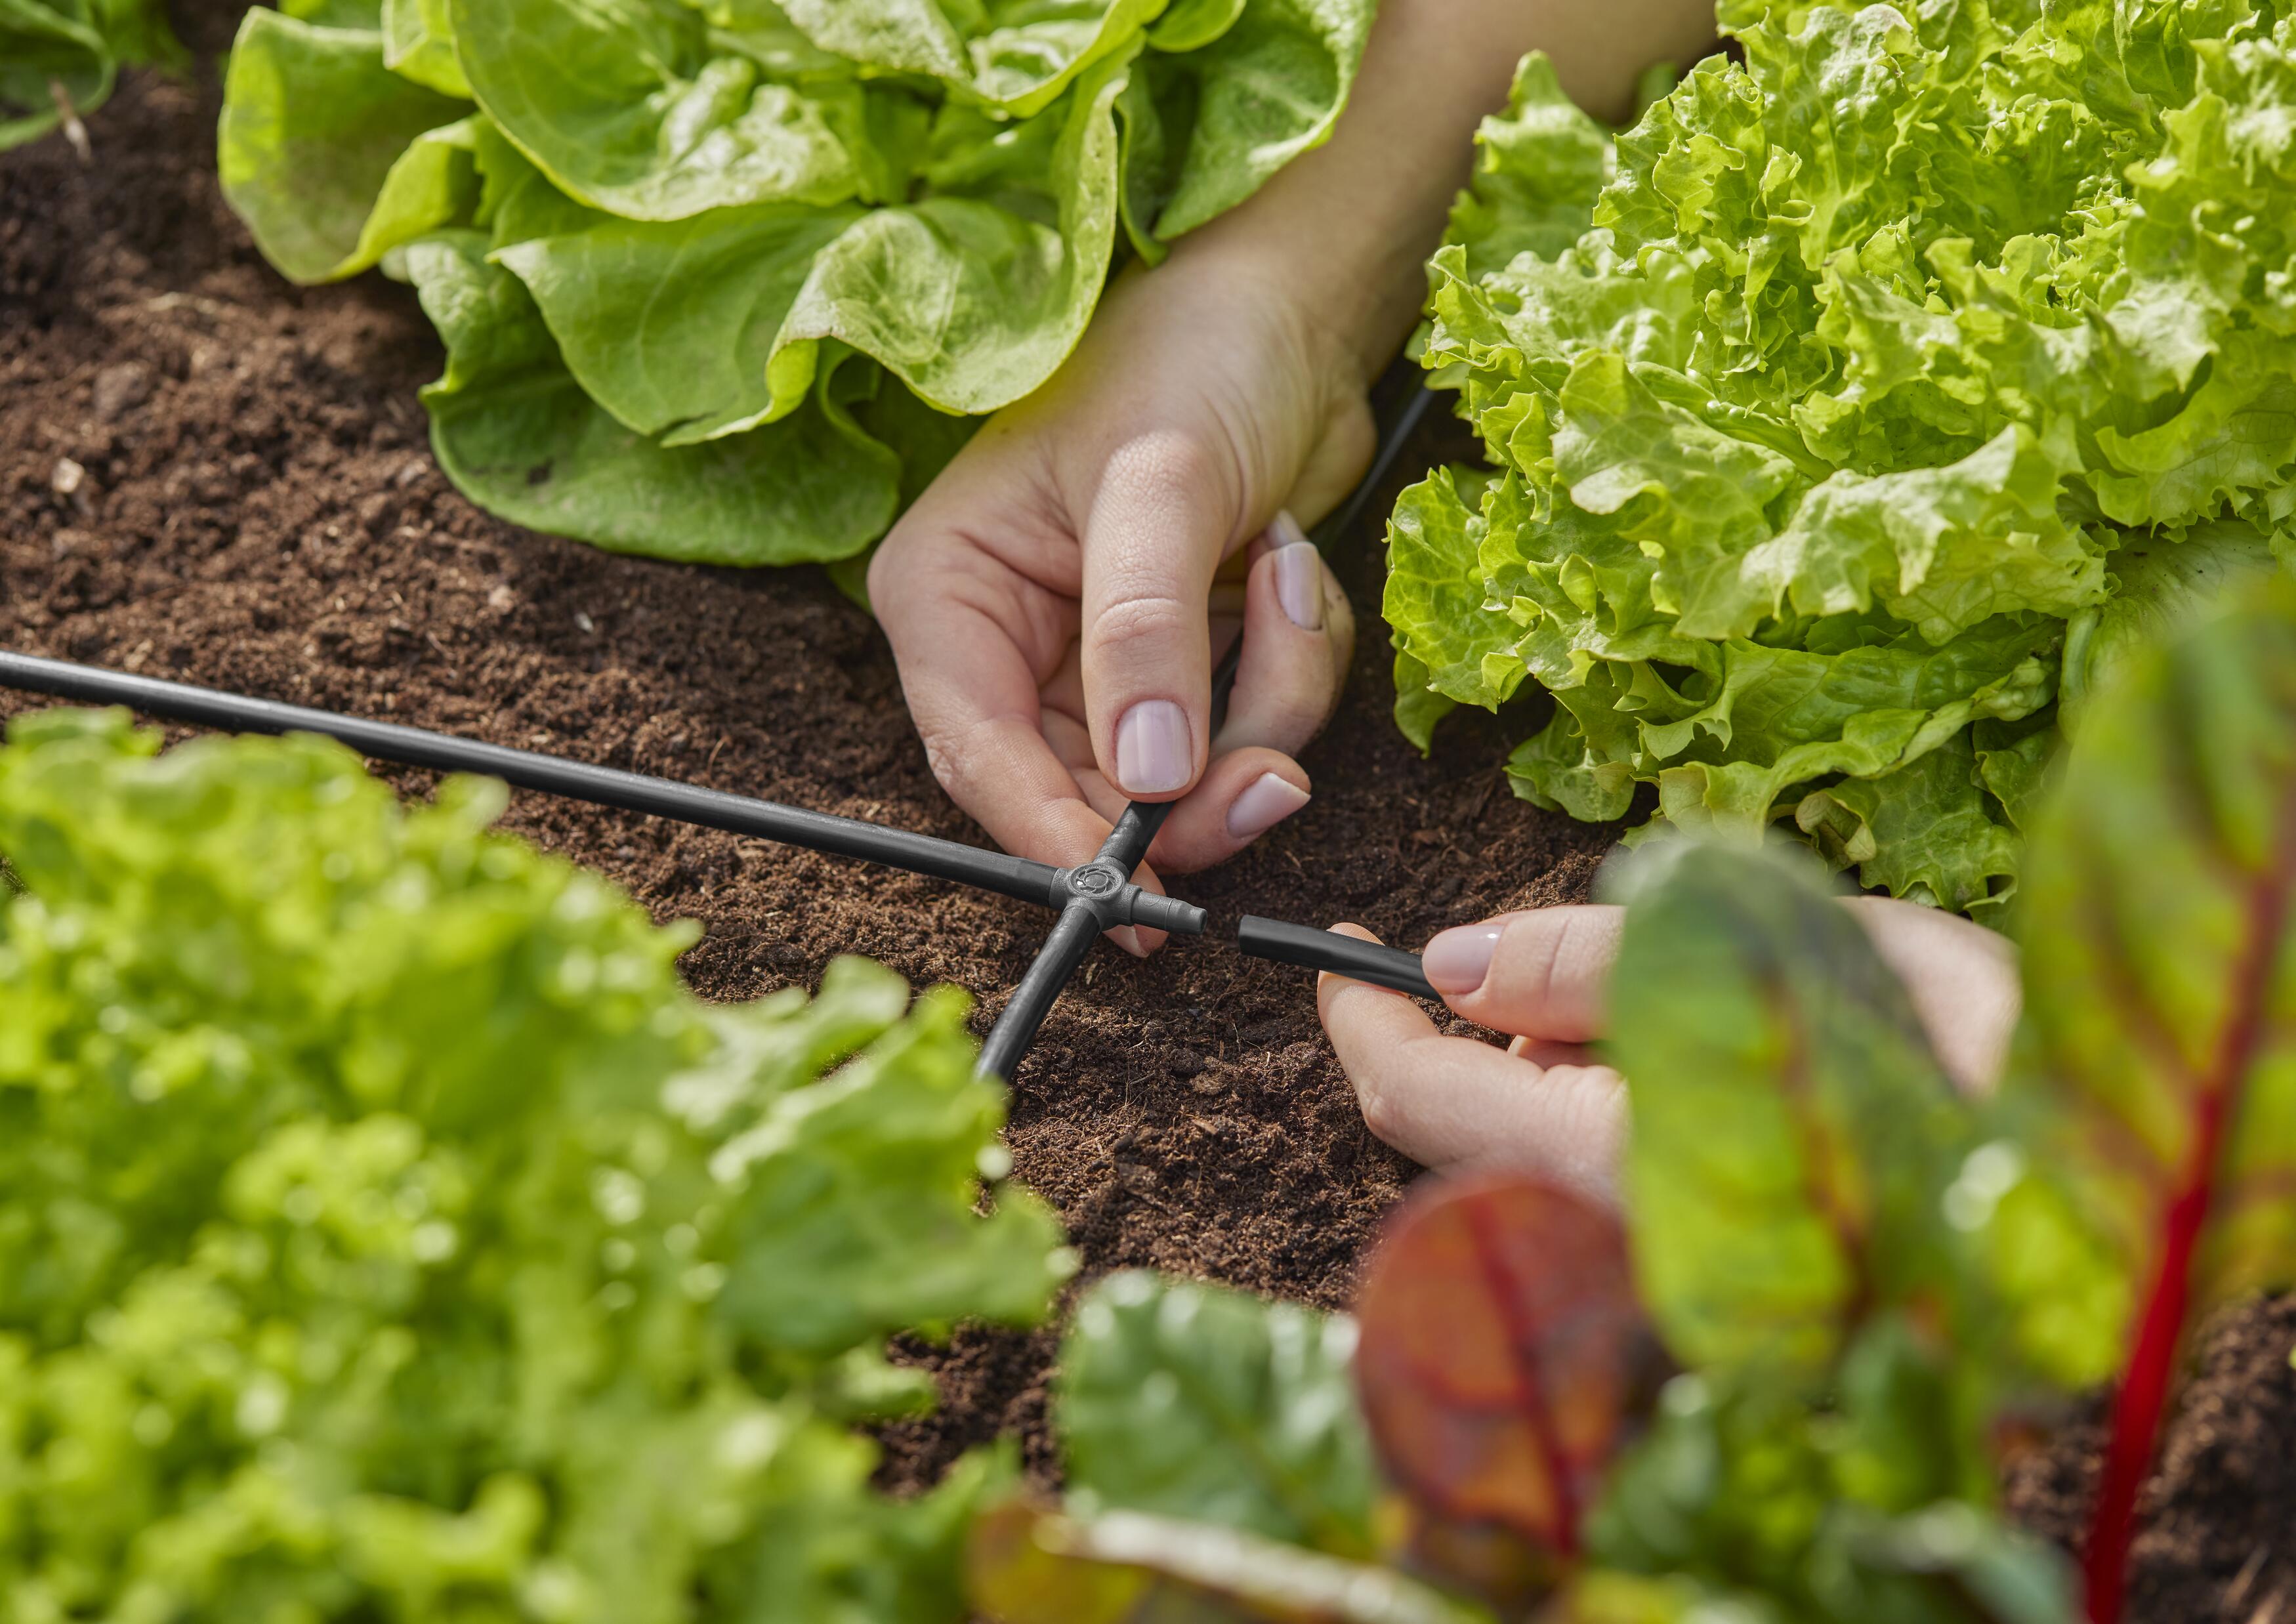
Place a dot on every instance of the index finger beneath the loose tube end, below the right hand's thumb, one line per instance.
(1457, 1104)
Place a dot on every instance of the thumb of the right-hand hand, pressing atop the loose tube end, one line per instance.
(1539, 975)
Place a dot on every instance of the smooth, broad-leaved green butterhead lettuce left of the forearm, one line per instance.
(729, 281)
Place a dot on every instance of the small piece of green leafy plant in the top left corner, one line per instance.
(61, 59)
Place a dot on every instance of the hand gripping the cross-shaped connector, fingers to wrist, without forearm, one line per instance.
(1055, 598)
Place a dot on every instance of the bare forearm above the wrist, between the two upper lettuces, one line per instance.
(1351, 224)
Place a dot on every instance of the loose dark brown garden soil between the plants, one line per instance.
(215, 477)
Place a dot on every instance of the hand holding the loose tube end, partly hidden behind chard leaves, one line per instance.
(1544, 1104)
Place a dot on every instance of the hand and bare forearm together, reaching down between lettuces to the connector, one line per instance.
(1053, 598)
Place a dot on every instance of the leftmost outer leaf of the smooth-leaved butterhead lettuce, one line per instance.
(327, 155)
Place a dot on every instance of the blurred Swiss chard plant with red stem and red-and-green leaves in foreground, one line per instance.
(1774, 1386)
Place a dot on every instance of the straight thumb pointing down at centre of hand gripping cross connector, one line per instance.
(1154, 536)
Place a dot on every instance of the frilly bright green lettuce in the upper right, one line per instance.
(1852, 412)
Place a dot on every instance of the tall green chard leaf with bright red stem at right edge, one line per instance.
(2152, 1131)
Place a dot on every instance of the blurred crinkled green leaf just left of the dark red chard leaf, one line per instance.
(1197, 1402)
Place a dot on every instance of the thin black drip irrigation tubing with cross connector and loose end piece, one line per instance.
(1089, 899)
